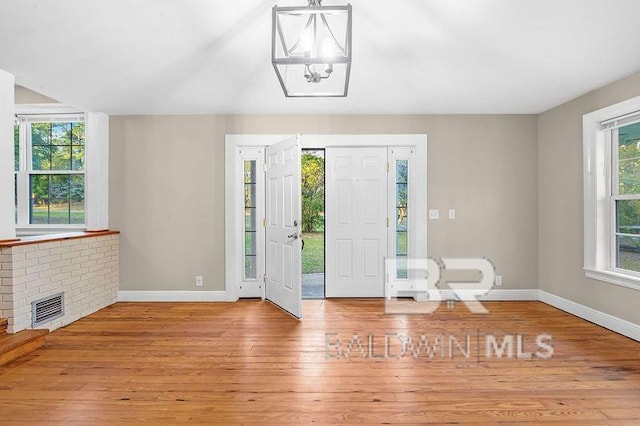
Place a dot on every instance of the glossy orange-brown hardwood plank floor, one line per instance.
(248, 362)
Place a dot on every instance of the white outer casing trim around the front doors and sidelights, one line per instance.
(233, 241)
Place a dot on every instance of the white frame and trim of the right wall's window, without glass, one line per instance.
(599, 198)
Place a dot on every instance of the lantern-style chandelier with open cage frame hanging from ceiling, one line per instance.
(311, 49)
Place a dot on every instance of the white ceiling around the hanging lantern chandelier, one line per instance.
(409, 56)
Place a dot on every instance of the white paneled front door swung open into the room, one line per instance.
(283, 238)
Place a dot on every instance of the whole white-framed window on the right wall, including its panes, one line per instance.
(612, 194)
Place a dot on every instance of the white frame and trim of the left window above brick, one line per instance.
(96, 171)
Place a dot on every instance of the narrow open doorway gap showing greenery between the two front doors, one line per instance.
(313, 223)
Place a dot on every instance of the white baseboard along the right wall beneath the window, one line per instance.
(602, 319)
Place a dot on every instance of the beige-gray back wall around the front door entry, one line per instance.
(167, 189)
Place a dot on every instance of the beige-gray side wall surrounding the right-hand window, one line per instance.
(560, 192)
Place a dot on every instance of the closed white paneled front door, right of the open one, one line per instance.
(356, 221)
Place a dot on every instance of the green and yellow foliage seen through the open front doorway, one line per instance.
(312, 193)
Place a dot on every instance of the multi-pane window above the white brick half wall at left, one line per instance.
(50, 170)
